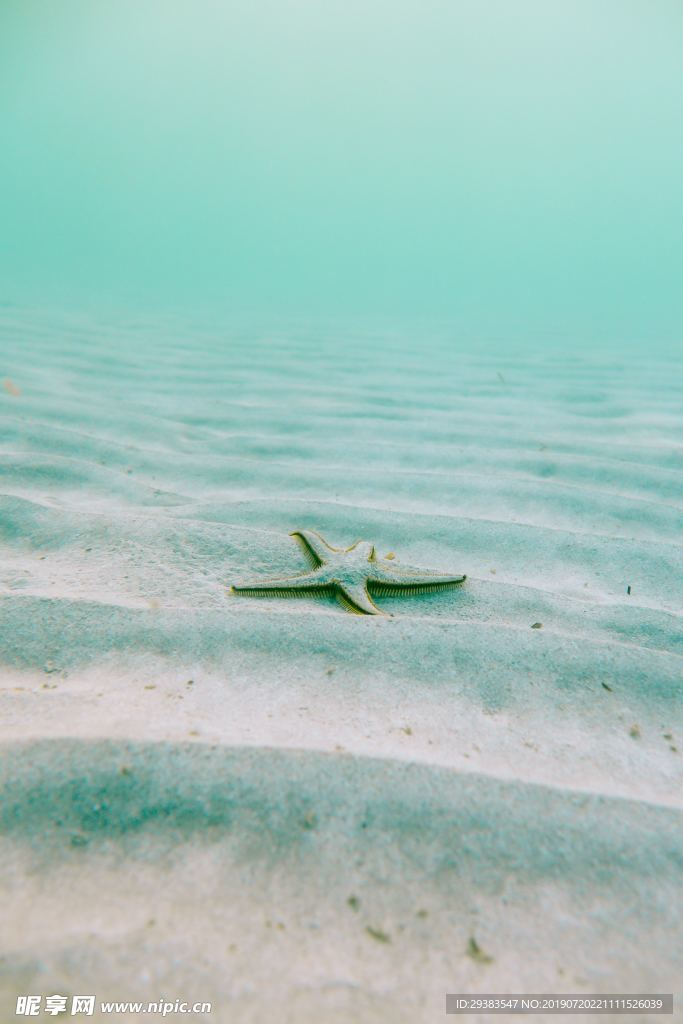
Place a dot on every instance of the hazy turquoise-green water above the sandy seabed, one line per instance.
(511, 167)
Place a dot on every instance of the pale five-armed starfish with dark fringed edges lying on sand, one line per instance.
(351, 574)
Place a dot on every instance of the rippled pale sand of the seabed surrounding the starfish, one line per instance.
(289, 810)
